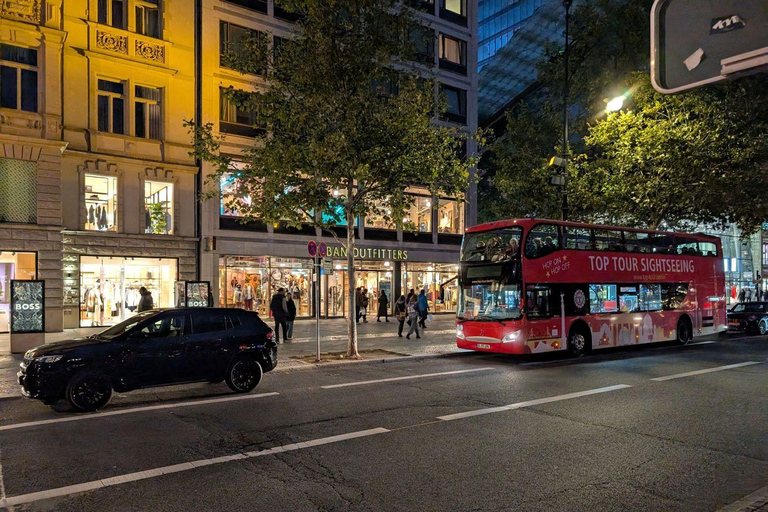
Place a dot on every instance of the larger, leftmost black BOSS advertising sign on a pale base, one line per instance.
(27, 315)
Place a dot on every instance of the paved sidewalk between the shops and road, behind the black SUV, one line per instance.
(438, 338)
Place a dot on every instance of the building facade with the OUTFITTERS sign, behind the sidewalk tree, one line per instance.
(247, 262)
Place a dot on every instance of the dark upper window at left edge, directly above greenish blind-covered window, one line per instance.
(18, 78)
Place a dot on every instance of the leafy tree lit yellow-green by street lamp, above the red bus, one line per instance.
(698, 157)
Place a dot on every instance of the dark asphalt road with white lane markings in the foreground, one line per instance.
(469, 432)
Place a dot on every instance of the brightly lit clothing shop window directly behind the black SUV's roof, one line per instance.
(109, 287)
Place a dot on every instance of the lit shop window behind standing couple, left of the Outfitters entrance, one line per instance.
(250, 282)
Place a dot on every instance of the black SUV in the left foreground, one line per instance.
(153, 348)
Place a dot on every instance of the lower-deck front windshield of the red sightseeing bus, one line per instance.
(490, 302)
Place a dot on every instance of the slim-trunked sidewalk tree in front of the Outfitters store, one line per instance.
(349, 125)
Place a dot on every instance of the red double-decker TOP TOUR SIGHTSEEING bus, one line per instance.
(535, 285)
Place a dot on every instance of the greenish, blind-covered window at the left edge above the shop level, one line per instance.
(18, 192)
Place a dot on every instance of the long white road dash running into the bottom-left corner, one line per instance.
(177, 468)
